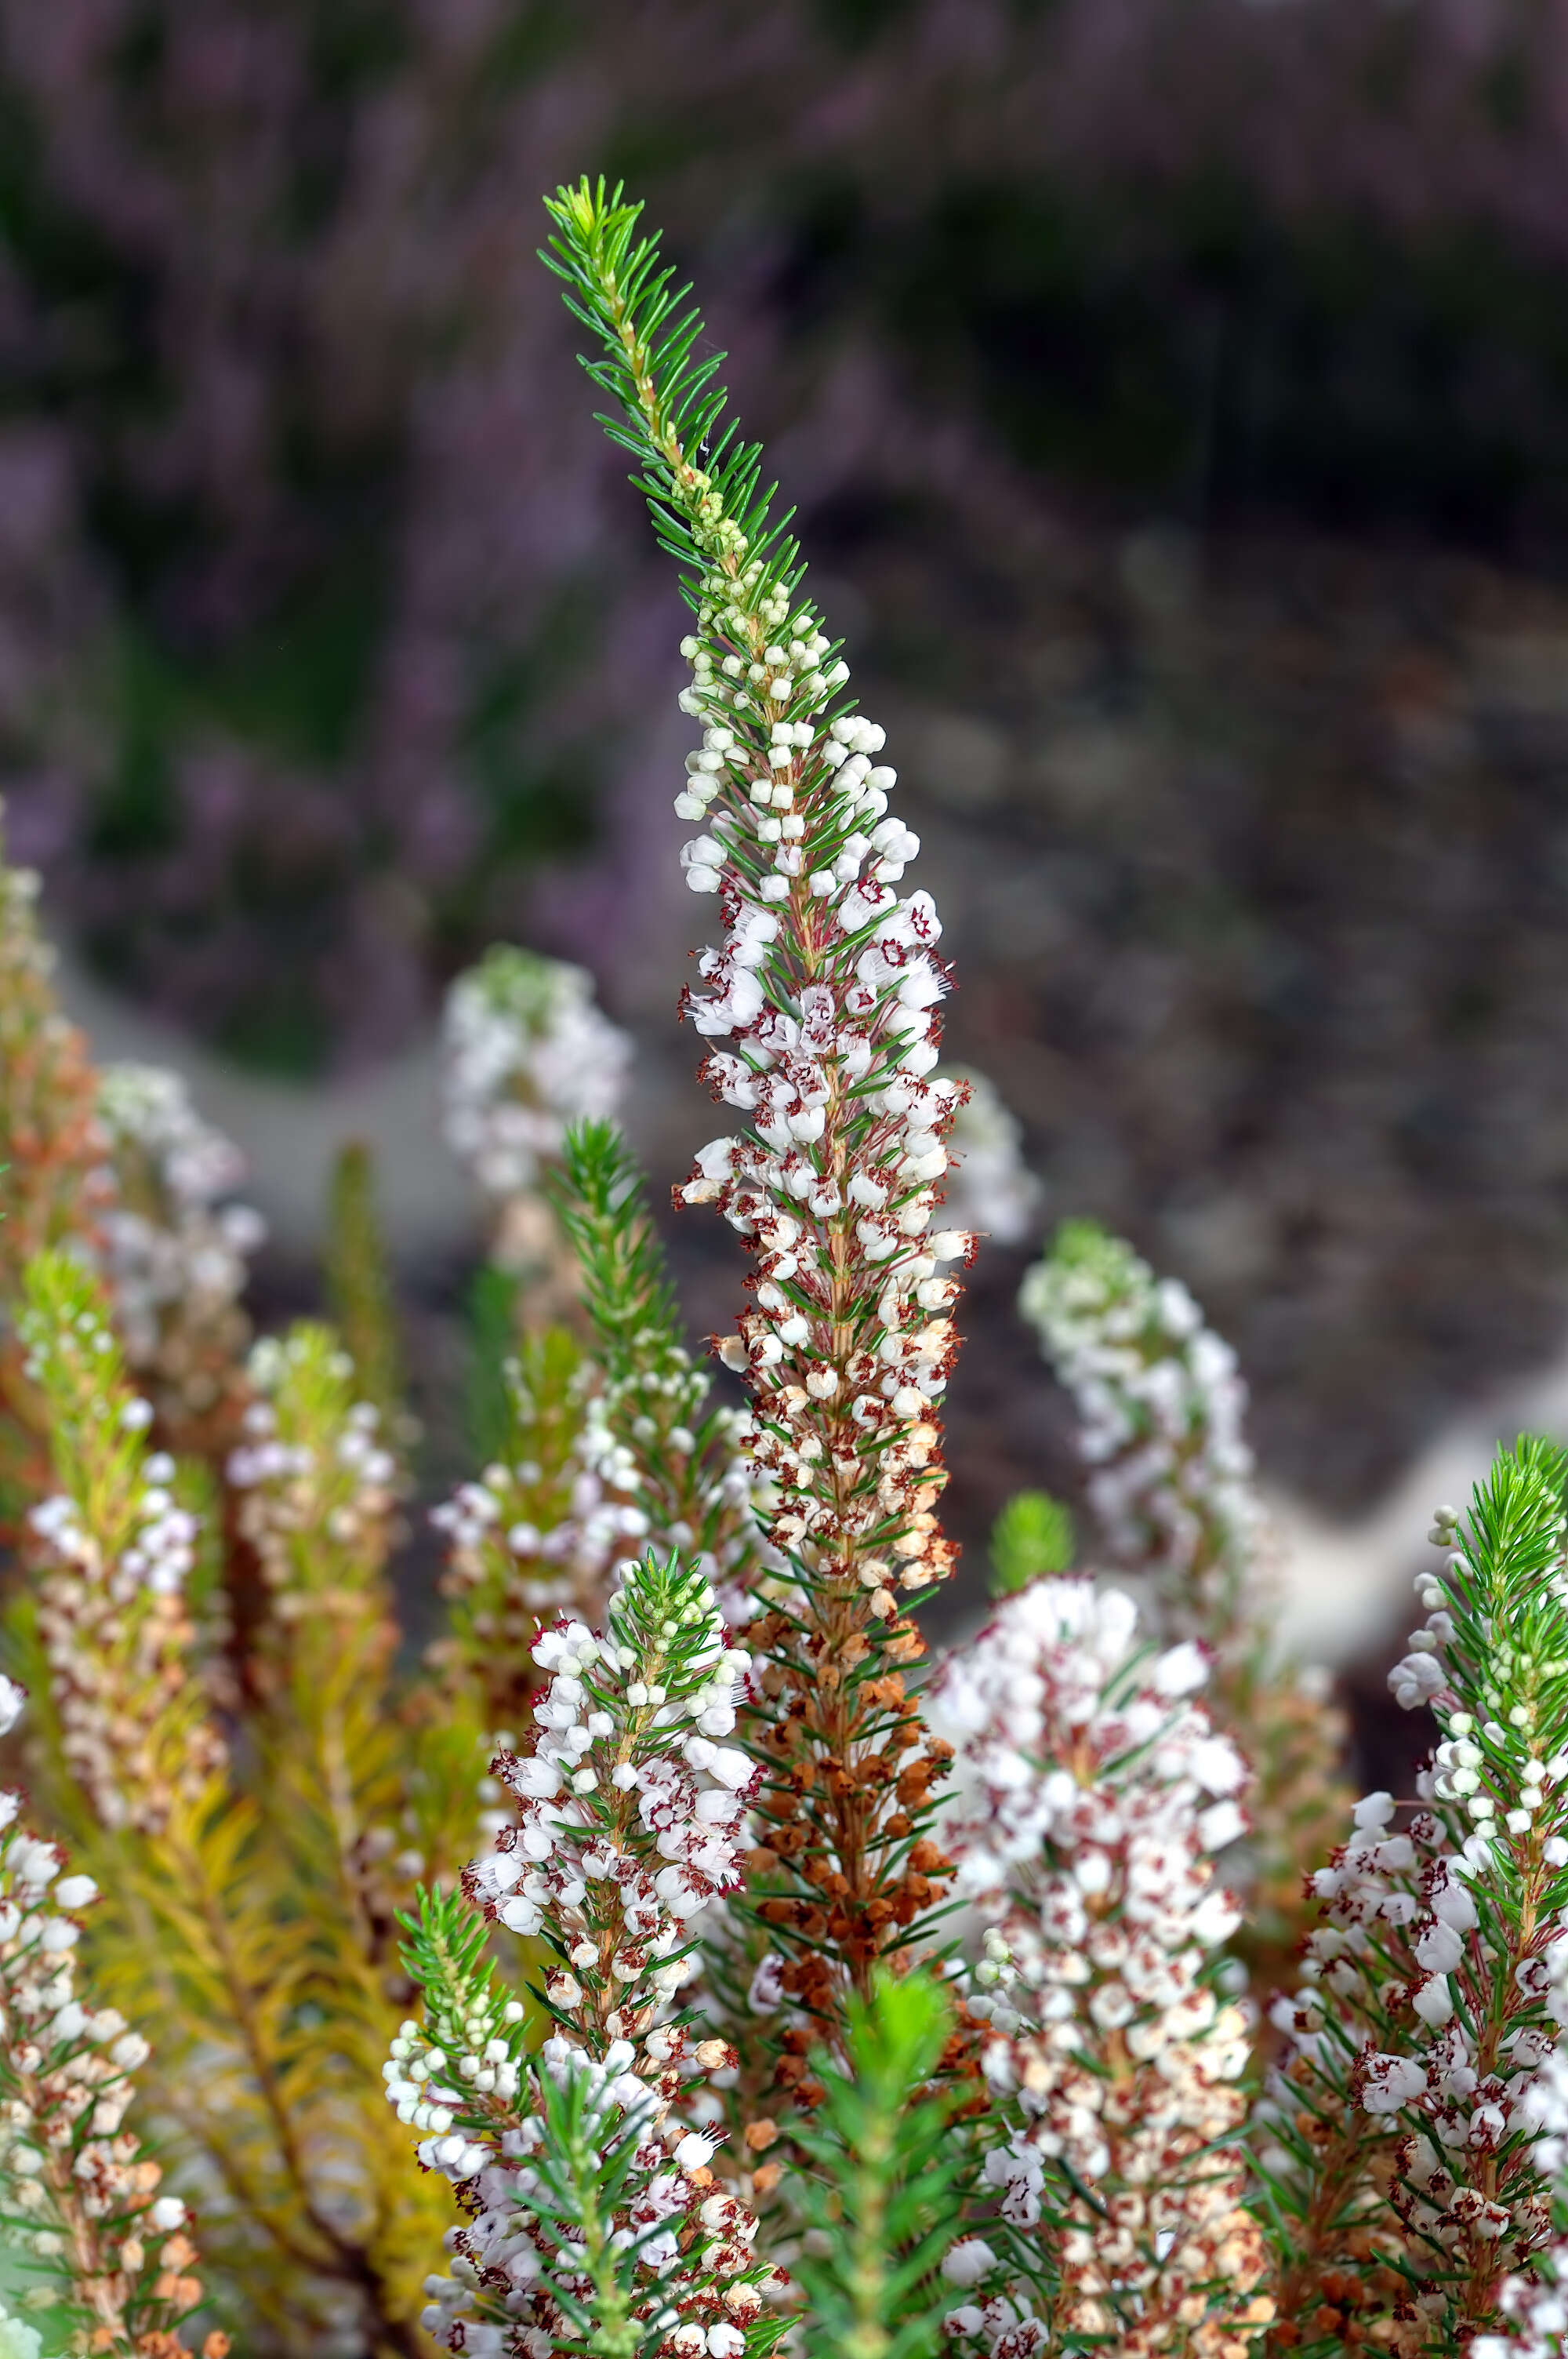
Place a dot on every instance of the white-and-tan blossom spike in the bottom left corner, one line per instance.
(81, 2193)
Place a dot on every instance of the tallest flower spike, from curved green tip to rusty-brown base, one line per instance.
(822, 1006)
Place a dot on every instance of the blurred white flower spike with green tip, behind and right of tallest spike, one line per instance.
(1161, 1419)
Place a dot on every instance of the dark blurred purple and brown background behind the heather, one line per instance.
(1175, 397)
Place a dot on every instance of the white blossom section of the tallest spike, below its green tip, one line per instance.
(831, 1016)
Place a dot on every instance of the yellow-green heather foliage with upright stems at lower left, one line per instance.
(249, 1924)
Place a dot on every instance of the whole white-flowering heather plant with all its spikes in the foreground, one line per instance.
(666, 1962)
